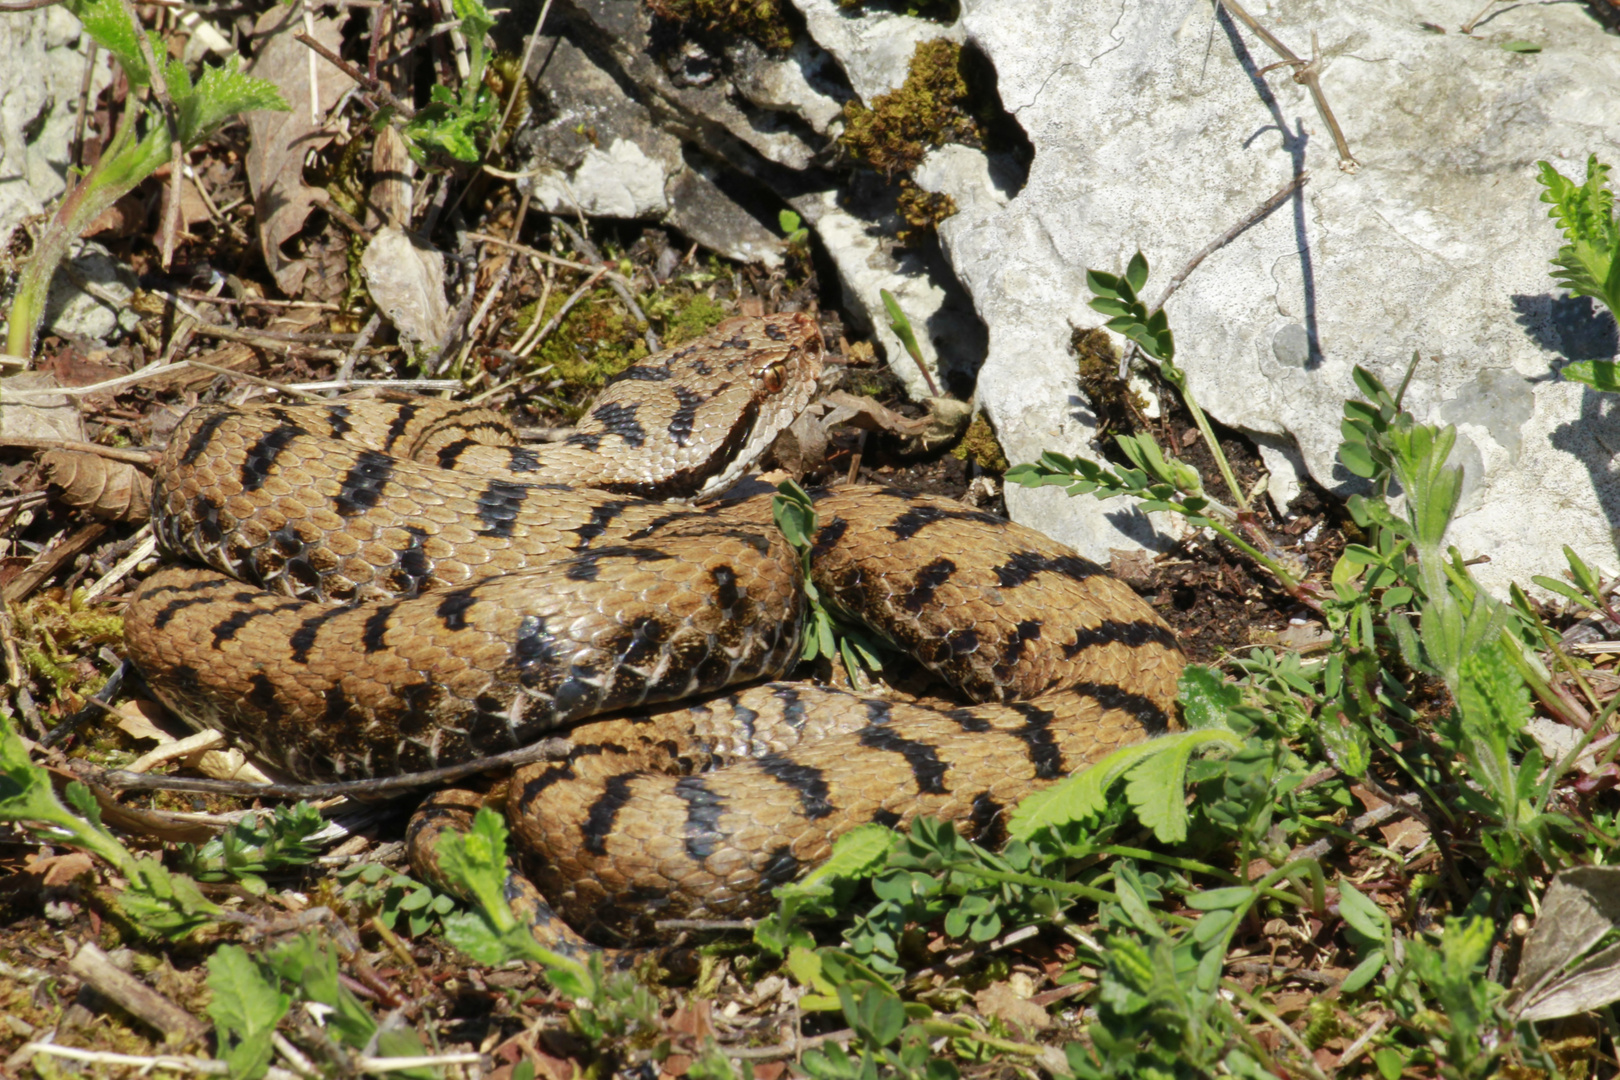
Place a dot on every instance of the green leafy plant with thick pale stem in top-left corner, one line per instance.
(129, 159)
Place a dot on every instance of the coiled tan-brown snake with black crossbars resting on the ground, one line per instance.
(396, 585)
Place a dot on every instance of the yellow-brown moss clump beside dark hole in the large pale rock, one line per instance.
(900, 127)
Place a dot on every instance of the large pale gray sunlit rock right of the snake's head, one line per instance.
(1154, 130)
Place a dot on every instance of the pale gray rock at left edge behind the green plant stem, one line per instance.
(40, 96)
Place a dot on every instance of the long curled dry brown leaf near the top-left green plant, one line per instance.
(281, 140)
